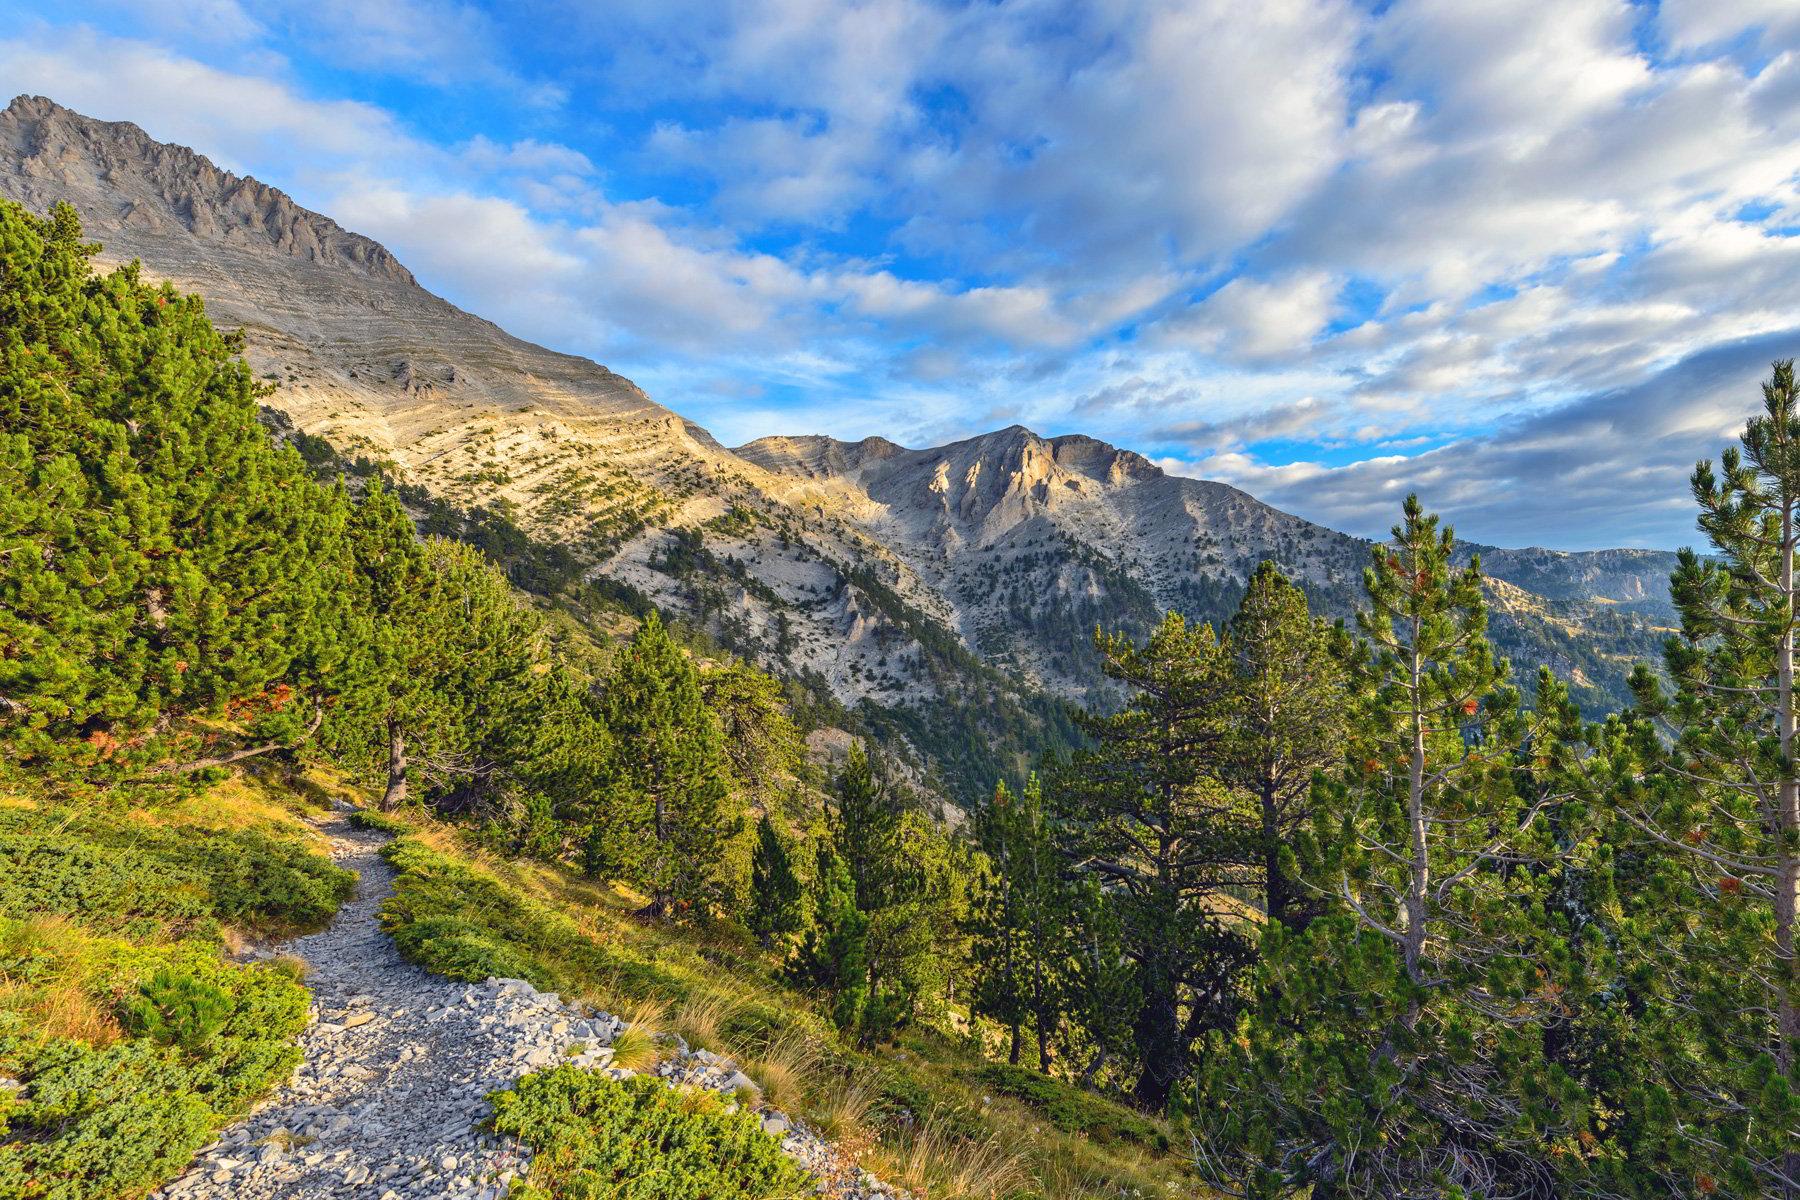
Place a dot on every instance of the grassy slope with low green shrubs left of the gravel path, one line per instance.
(130, 1030)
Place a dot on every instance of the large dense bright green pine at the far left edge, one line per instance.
(159, 557)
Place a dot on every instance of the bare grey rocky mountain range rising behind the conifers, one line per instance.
(957, 584)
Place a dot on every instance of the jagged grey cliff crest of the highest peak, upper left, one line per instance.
(132, 188)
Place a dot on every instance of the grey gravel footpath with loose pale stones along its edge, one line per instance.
(399, 1064)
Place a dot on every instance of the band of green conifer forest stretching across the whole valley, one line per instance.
(1367, 909)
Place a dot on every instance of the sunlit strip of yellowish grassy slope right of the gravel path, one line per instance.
(924, 1113)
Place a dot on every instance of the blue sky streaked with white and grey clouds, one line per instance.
(1525, 256)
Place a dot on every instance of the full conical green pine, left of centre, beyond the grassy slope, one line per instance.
(667, 812)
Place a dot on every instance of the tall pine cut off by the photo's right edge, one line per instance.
(1720, 809)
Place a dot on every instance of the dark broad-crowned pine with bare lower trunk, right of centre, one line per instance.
(1149, 812)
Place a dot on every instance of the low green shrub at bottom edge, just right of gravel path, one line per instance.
(640, 1140)
